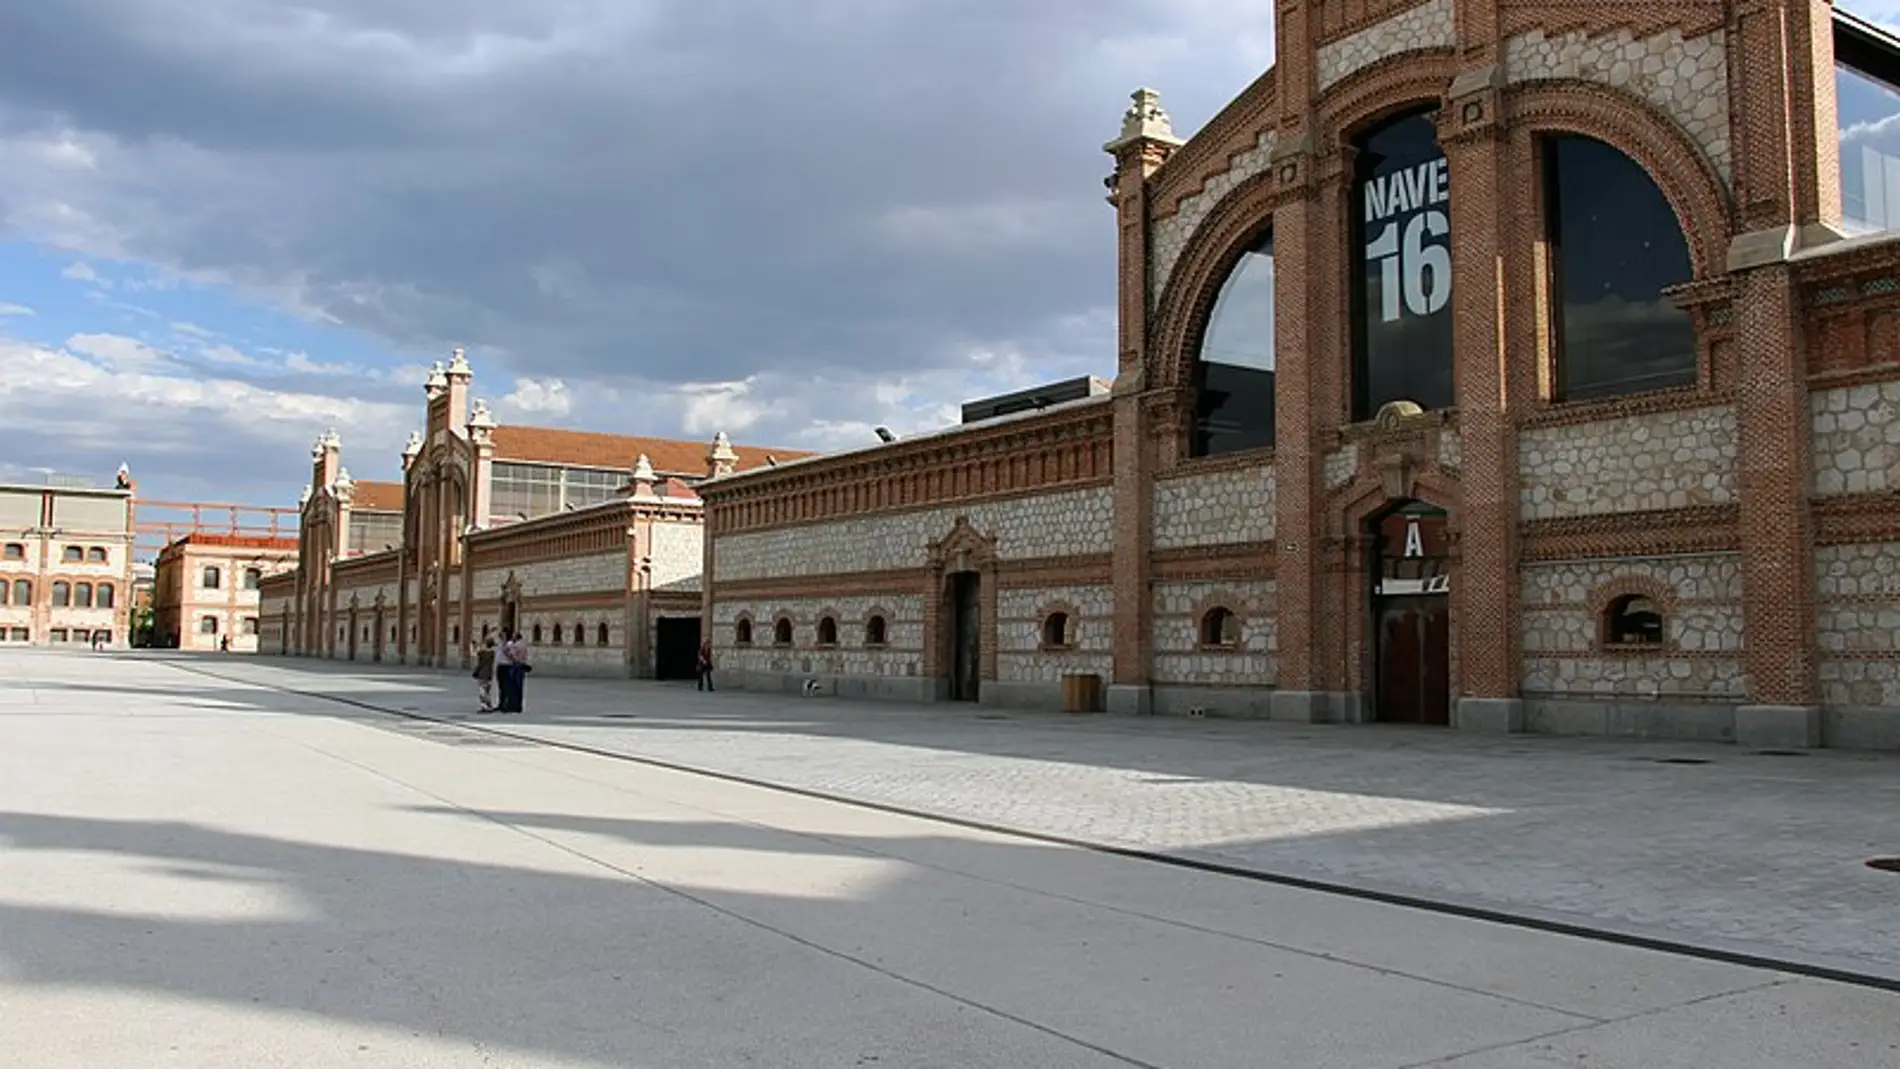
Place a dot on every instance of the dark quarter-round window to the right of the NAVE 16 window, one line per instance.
(1616, 246)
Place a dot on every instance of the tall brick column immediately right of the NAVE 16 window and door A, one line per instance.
(1485, 597)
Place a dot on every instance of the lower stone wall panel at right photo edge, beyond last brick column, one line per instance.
(1859, 631)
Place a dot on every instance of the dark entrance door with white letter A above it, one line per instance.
(1413, 616)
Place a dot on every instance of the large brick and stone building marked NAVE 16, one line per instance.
(1508, 366)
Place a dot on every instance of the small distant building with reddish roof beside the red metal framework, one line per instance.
(206, 590)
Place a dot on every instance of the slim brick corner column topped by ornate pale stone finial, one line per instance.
(1145, 145)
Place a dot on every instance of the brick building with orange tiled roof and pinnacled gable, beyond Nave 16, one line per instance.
(579, 540)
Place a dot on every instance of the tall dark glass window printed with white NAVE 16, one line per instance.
(1401, 269)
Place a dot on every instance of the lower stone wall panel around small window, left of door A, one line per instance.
(1181, 660)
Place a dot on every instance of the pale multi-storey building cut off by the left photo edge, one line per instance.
(66, 565)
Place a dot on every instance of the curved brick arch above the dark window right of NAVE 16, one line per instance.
(1681, 170)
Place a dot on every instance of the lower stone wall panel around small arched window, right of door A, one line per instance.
(1700, 660)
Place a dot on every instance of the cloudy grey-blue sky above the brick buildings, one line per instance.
(227, 225)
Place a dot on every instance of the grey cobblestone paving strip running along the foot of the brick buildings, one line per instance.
(1747, 852)
